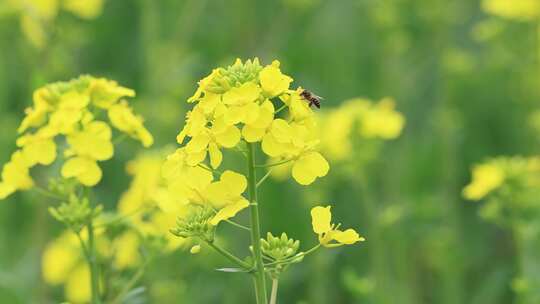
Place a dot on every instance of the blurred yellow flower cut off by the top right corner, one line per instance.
(524, 10)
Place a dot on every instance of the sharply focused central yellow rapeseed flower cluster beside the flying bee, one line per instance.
(234, 106)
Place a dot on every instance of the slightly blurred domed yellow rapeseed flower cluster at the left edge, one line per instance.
(71, 110)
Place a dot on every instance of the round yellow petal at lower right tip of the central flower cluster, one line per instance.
(308, 167)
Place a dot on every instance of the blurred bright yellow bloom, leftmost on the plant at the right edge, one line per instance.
(485, 178)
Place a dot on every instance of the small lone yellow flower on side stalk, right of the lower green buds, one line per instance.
(328, 232)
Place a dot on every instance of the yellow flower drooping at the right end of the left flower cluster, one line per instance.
(122, 117)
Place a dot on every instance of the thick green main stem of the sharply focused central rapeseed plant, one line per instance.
(259, 275)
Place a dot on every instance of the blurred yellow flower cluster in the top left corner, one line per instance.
(36, 16)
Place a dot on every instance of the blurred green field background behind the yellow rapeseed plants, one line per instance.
(465, 80)
